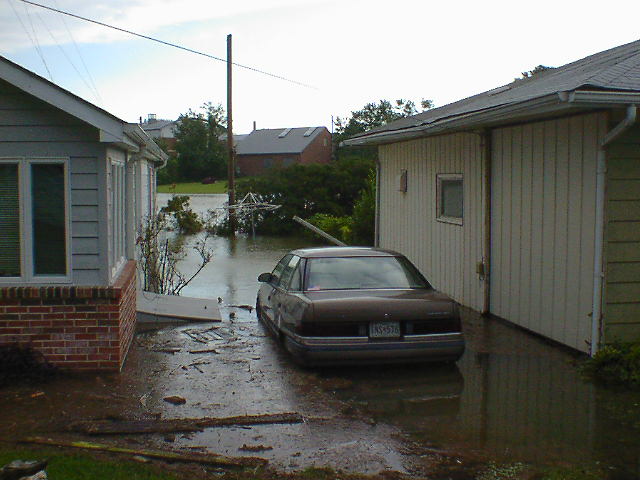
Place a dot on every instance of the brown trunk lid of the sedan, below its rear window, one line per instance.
(368, 305)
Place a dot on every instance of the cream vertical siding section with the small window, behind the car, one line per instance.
(447, 254)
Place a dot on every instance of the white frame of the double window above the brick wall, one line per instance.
(26, 221)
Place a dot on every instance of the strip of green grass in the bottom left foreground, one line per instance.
(78, 466)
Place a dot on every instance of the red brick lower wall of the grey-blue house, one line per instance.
(78, 328)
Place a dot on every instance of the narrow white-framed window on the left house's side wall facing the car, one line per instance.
(117, 216)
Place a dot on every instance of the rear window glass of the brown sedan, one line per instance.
(362, 273)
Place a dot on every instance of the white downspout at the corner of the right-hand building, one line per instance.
(598, 267)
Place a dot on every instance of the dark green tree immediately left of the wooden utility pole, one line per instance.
(200, 151)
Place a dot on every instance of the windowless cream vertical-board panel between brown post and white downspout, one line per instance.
(543, 221)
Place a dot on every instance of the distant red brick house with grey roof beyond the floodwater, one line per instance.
(281, 147)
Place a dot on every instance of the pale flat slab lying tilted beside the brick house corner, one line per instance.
(153, 307)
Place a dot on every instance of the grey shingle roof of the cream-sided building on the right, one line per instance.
(617, 69)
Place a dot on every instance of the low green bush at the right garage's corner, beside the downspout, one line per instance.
(616, 364)
